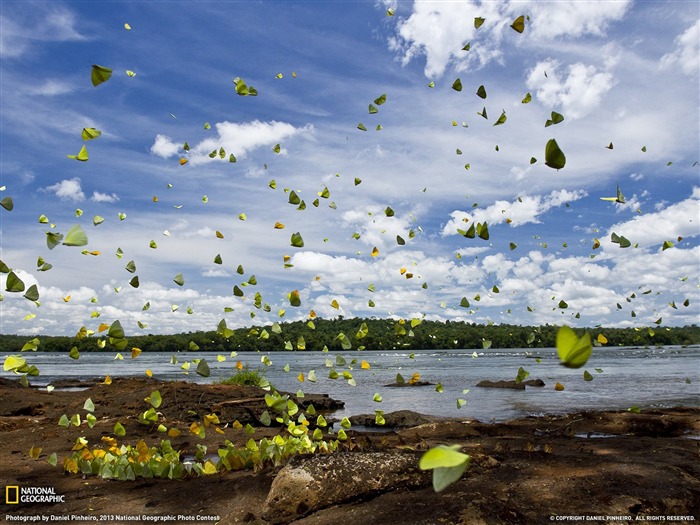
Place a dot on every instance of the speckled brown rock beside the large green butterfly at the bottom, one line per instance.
(311, 483)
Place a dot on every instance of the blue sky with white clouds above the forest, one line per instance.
(383, 206)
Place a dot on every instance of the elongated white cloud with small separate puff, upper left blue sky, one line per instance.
(234, 137)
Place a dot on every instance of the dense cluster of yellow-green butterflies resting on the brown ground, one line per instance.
(110, 460)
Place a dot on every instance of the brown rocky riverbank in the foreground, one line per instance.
(522, 471)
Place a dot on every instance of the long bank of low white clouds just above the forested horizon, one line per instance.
(538, 280)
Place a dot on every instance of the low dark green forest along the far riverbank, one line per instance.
(360, 334)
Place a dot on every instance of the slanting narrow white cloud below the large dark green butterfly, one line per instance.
(526, 209)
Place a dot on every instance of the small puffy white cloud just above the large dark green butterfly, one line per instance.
(578, 93)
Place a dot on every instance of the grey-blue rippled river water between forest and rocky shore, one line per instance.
(626, 377)
